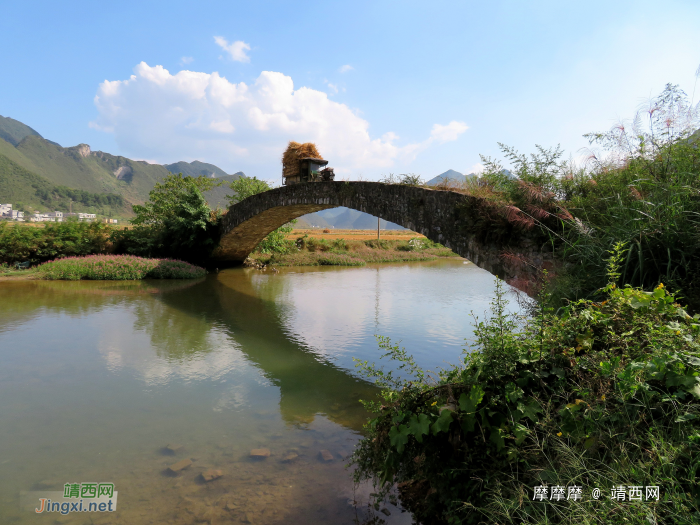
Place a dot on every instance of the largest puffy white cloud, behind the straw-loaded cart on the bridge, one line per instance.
(193, 115)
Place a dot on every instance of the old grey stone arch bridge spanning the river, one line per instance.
(447, 217)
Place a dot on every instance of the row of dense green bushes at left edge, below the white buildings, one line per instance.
(20, 243)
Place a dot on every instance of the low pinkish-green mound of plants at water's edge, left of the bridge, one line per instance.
(118, 267)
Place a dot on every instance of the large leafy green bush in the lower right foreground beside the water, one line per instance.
(597, 395)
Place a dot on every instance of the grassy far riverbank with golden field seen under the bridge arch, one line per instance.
(318, 250)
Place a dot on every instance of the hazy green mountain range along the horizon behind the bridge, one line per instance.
(37, 174)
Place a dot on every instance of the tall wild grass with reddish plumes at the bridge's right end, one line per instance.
(641, 186)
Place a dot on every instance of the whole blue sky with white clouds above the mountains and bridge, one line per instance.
(427, 86)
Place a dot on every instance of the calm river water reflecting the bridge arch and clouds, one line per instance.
(97, 377)
